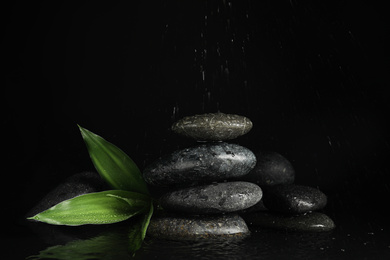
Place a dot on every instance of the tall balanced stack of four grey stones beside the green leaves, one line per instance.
(204, 192)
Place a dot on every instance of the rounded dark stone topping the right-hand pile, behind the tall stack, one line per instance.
(271, 169)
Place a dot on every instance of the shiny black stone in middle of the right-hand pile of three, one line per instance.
(294, 199)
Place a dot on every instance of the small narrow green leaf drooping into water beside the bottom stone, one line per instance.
(137, 232)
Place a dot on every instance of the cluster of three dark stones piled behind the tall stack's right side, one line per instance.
(285, 205)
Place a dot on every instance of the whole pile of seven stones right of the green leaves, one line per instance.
(210, 185)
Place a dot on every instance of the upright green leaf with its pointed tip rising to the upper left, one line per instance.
(115, 167)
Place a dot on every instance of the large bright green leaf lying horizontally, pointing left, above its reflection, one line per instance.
(95, 208)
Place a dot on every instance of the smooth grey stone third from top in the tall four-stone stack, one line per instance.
(213, 198)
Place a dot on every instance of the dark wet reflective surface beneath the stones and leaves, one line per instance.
(353, 237)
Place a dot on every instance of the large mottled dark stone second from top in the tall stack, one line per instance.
(203, 163)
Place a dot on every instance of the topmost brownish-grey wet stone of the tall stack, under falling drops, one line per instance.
(213, 126)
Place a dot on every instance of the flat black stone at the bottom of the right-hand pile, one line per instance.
(313, 221)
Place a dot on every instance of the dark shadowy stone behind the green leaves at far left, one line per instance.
(76, 185)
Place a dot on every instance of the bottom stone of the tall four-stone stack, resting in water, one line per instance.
(193, 228)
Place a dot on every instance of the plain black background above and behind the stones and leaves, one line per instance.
(311, 75)
